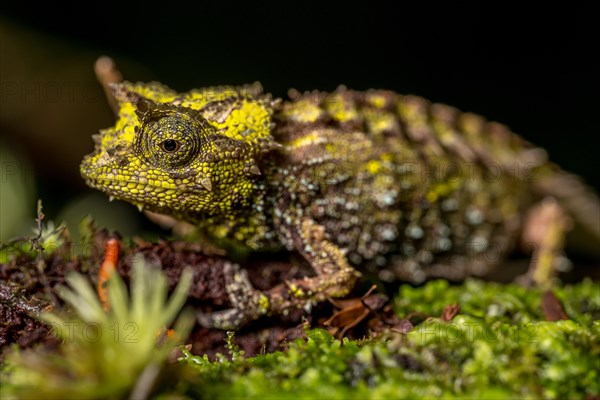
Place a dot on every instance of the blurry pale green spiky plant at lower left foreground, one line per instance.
(105, 354)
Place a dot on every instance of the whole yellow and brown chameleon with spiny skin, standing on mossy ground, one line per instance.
(373, 181)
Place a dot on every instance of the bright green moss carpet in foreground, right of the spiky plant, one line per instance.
(499, 346)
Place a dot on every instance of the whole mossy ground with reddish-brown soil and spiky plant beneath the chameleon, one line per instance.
(471, 340)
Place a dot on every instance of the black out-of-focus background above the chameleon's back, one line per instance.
(529, 69)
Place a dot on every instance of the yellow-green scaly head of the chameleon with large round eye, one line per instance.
(187, 155)
